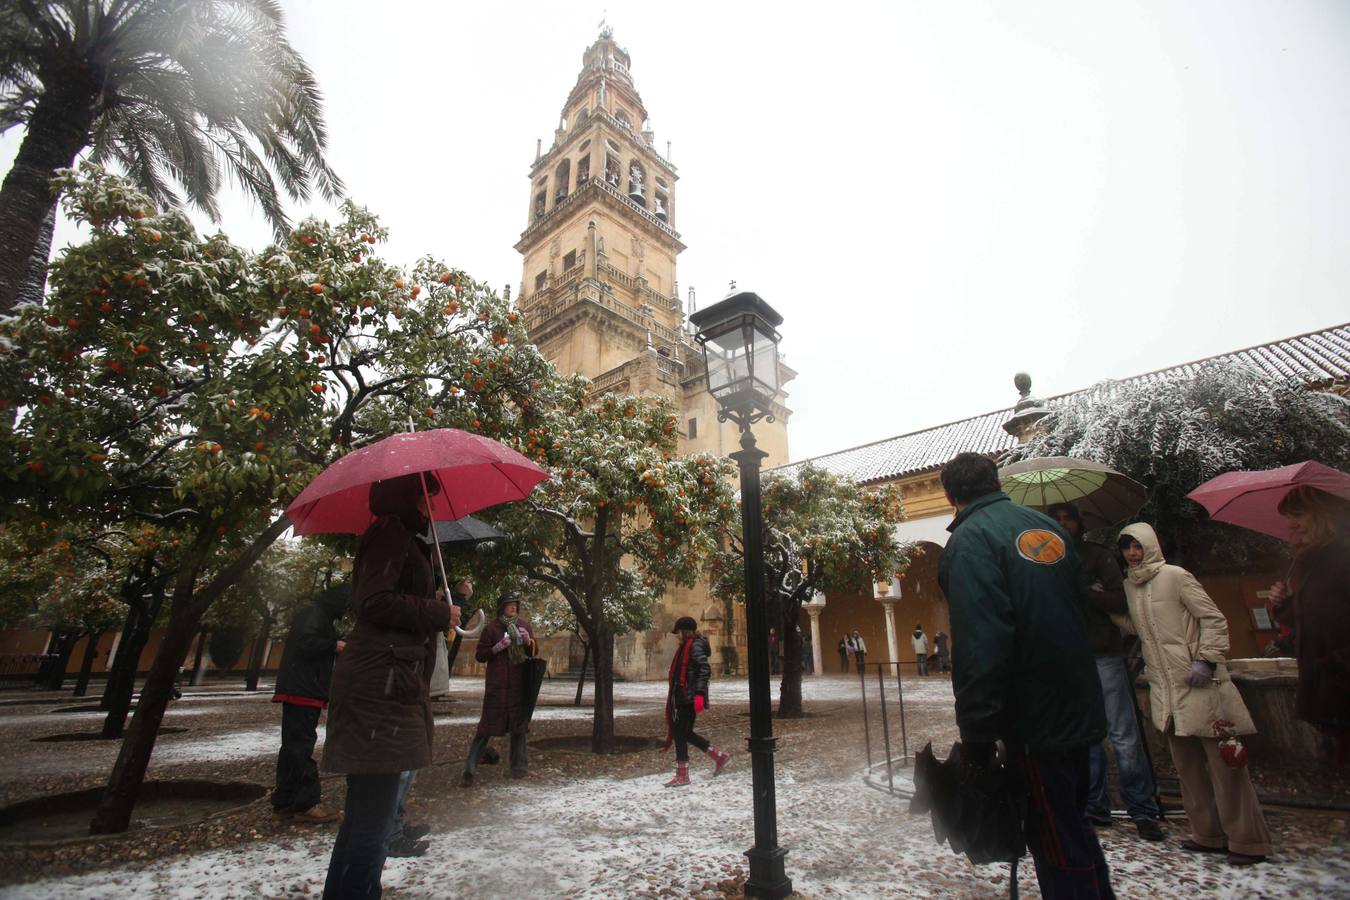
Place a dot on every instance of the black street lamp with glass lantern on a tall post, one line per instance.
(740, 354)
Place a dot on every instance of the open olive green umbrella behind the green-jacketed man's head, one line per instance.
(1102, 495)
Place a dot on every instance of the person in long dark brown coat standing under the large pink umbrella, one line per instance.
(380, 714)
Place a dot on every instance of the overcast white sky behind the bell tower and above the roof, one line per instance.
(935, 195)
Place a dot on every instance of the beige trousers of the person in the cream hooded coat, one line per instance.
(1220, 801)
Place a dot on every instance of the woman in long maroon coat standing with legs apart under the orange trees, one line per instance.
(504, 646)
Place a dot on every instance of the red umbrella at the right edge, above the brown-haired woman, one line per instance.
(1251, 500)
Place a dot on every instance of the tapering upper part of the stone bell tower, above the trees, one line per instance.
(599, 285)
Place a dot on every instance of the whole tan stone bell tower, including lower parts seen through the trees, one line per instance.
(600, 298)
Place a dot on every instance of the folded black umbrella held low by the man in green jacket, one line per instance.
(977, 812)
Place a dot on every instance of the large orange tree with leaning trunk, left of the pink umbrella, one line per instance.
(184, 384)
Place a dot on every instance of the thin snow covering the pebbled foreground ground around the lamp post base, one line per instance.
(628, 837)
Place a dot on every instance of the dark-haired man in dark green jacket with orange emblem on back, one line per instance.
(1023, 671)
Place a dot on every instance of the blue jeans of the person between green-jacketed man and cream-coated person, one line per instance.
(1132, 762)
